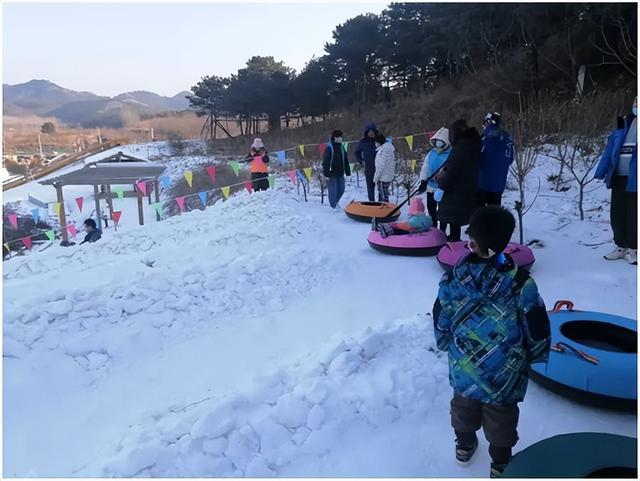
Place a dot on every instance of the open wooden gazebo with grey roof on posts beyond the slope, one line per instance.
(118, 169)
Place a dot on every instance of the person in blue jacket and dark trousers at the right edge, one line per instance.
(618, 168)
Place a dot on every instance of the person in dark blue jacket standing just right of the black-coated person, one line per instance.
(497, 156)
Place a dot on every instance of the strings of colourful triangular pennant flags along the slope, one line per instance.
(295, 175)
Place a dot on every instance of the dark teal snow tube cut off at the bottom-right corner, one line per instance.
(577, 455)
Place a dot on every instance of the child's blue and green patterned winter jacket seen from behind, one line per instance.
(493, 323)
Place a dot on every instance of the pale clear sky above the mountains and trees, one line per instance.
(162, 47)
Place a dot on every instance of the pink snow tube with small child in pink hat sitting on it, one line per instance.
(422, 244)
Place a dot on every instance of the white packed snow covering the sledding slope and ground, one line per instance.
(262, 336)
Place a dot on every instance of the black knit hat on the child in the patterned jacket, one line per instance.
(491, 228)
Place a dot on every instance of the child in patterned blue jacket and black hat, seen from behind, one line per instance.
(491, 320)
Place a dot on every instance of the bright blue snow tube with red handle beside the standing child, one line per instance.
(593, 357)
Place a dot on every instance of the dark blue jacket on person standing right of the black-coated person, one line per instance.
(497, 156)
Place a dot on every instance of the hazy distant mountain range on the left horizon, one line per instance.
(44, 98)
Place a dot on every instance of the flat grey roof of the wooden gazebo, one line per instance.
(108, 173)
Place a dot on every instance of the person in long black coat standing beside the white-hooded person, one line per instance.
(459, 178)
